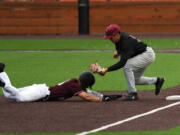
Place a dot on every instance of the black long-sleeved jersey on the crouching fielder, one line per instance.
(127, 47)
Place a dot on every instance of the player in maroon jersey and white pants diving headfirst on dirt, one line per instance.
(60, 92)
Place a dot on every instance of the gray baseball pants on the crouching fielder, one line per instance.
(135, 67)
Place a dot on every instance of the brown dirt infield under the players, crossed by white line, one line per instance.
(77, 115)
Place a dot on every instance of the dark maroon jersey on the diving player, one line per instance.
(65, 90)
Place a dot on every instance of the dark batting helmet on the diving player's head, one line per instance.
(87, 79)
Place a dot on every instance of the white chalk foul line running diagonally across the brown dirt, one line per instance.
(129, 119)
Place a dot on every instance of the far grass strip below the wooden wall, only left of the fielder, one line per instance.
(54, 44)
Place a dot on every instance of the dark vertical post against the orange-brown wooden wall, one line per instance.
(83, 8)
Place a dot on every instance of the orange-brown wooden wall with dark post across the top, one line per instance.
(89, 17)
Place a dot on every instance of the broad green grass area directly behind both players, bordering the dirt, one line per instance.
(54, 67)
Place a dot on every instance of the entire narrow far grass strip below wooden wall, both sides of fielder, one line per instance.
(79, 44)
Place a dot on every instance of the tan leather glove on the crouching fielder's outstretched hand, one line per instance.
(96, 68)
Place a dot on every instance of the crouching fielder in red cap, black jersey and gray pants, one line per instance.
(135, 57)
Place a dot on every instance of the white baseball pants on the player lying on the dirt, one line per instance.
(25, 94)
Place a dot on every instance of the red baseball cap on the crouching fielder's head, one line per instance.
(111, 30)
